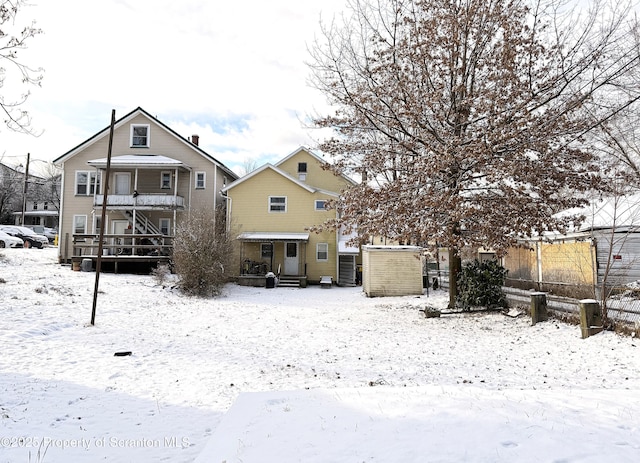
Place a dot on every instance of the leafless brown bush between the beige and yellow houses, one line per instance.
(201, 253)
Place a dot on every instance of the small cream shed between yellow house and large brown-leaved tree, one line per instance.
(391, 270)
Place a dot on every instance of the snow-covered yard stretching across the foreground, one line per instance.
(288, 375)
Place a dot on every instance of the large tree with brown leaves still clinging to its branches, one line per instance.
(467, 117)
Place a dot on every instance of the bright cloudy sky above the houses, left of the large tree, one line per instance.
(231, 71)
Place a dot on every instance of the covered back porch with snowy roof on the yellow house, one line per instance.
(282, 253)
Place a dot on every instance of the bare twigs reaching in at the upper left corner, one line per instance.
(13, 38)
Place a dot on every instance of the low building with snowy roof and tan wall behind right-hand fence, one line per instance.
(603, 254)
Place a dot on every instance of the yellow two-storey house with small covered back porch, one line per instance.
(270, 211)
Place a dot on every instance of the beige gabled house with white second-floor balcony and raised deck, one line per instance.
(155, 177)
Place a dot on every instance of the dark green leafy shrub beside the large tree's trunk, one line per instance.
(480, 284)
